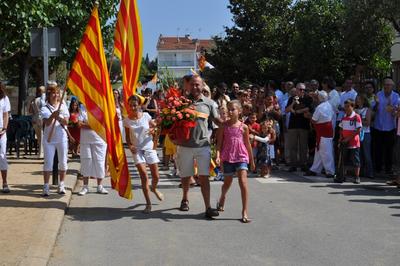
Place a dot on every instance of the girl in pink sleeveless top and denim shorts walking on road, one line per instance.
(234, 153)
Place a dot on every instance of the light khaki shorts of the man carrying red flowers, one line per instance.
(185, 157)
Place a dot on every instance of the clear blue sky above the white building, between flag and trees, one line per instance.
(199, 18)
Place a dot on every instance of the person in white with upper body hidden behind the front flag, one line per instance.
(93, 152)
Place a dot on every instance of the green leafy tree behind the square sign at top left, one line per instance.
(17, 17)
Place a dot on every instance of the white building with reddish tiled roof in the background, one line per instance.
(178, 55)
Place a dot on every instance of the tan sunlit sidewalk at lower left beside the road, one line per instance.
(29, 223)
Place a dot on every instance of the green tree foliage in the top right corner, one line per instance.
(369, 36)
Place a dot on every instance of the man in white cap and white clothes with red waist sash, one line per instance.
(322, 121)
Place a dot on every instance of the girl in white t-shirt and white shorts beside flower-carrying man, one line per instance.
(138, 127)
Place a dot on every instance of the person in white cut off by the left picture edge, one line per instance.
(4, 109)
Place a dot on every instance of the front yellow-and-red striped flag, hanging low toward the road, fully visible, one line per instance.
(90, 82)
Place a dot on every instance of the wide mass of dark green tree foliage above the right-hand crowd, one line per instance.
(274, 39)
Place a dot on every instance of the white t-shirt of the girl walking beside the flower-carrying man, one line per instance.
(139, 132)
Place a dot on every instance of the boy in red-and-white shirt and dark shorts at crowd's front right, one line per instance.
(350, 128)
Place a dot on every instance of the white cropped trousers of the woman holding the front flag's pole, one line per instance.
(62, 153)
